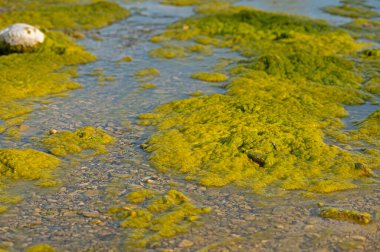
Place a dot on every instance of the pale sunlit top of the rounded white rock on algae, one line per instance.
(21, 35)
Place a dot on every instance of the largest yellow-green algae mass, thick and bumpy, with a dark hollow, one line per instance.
(268, 129)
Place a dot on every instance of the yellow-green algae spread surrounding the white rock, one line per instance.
(23, 76)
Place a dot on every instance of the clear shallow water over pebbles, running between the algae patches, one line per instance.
(276, 221)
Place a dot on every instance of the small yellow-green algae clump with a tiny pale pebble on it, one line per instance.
(87, 138)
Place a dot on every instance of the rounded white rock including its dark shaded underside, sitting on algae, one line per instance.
(20, 38)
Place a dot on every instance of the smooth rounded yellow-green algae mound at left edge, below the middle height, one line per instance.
(26, 164)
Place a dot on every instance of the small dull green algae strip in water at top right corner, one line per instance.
(352, 11)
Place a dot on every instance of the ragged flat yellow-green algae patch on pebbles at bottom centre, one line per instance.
(153, 216)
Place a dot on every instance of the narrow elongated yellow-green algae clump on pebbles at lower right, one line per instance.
(347, 215)
